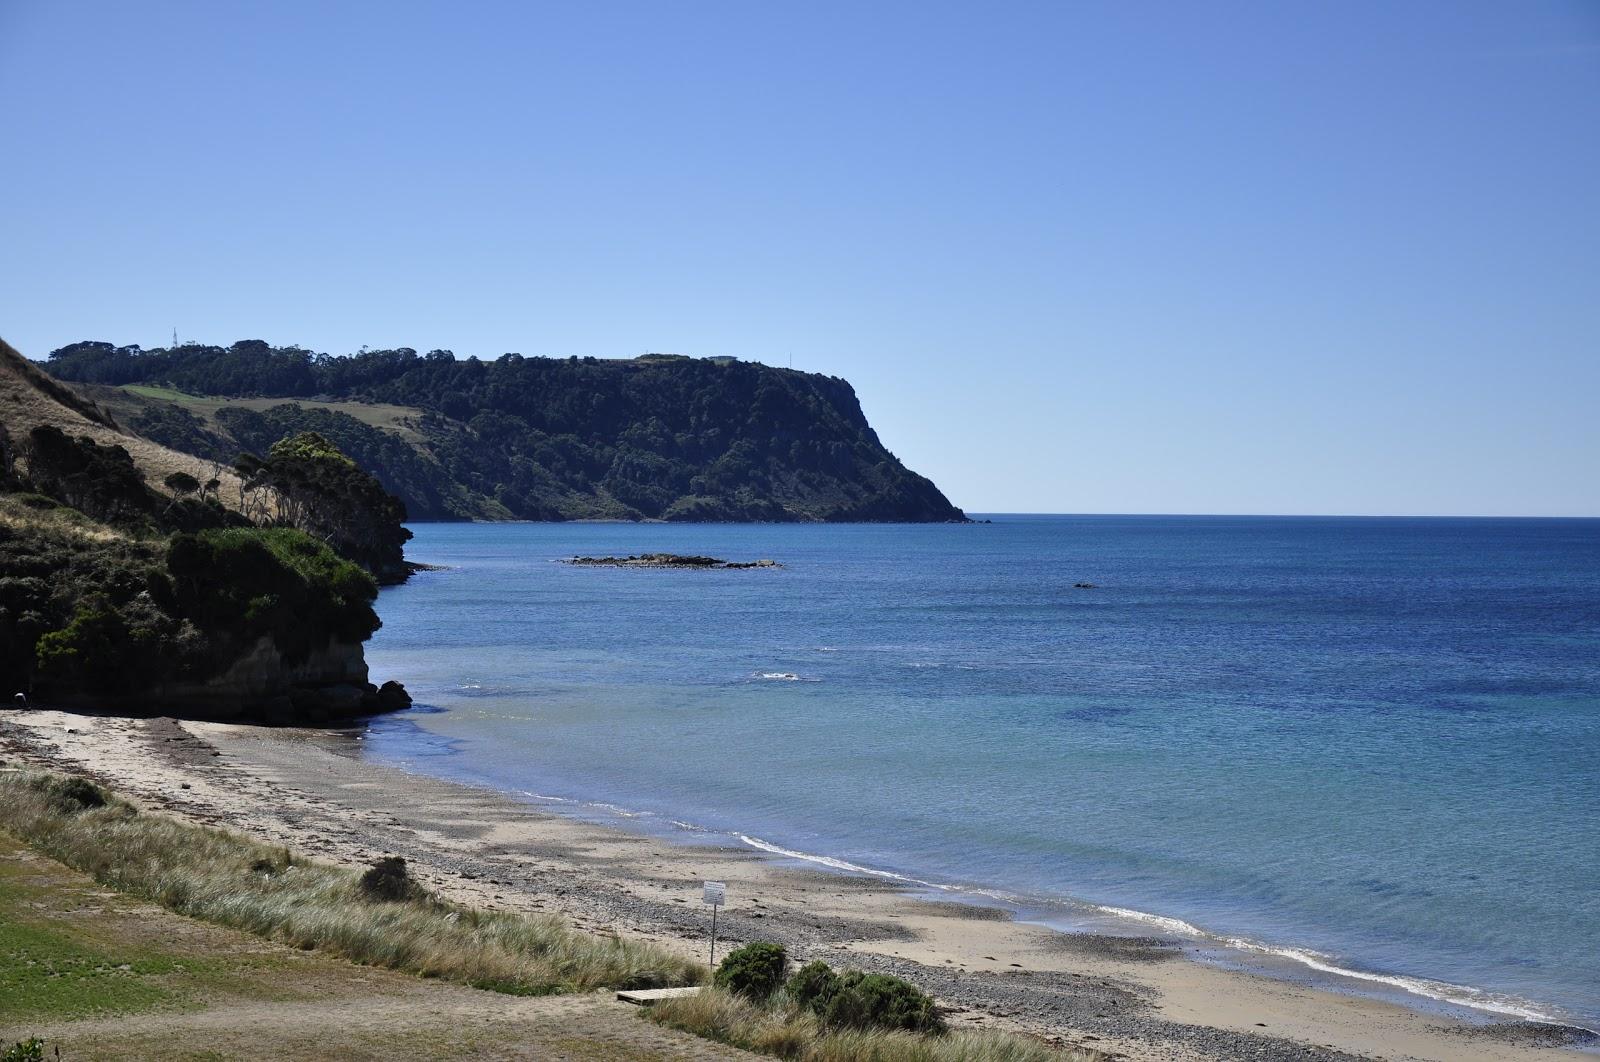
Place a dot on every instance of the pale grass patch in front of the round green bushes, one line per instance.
(783, 1029)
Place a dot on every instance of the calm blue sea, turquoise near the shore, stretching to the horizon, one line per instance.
(1367, 745)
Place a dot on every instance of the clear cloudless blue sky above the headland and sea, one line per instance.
(1289, 258)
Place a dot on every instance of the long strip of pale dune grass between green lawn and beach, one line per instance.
(231, 880)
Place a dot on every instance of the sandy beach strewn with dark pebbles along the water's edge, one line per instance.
(1132, 997)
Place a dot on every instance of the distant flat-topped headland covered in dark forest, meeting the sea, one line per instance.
(662, 437)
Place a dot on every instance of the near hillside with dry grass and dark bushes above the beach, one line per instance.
(142, 578)
